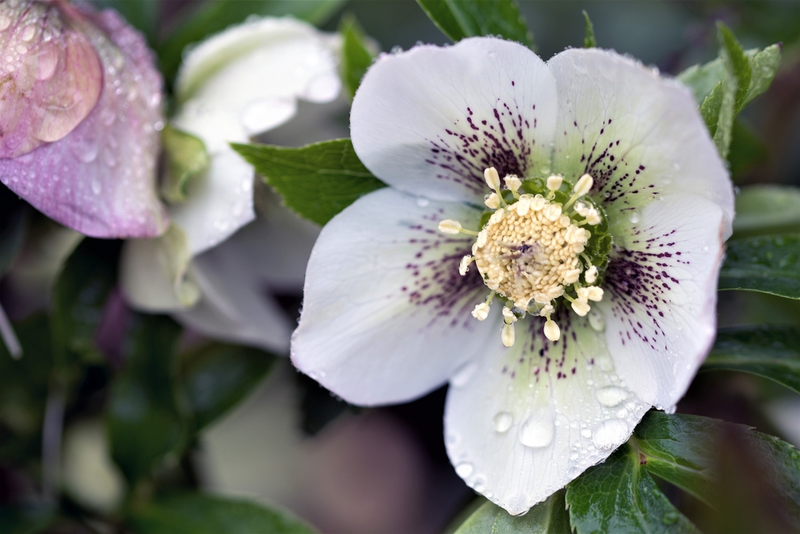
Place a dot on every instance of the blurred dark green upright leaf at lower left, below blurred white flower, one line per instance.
(144, 421)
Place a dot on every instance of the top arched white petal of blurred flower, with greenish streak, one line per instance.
(255, 72)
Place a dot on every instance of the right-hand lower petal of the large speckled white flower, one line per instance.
(660, 300)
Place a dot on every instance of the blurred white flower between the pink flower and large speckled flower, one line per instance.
(212, 270)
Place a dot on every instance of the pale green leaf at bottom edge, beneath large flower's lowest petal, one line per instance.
(548, 517)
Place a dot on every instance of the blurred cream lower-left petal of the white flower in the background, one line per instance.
(153, 272)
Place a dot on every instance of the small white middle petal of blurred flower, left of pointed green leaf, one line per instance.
(219, 201)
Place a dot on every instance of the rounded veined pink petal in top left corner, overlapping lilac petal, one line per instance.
(51, 77)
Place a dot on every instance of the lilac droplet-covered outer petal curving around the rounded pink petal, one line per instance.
(100, 178)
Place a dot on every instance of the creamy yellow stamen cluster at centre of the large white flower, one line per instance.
(531, 252)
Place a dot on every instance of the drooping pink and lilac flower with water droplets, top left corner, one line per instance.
(80, 114)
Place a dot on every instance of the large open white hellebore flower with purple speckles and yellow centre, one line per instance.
(573, 338)
